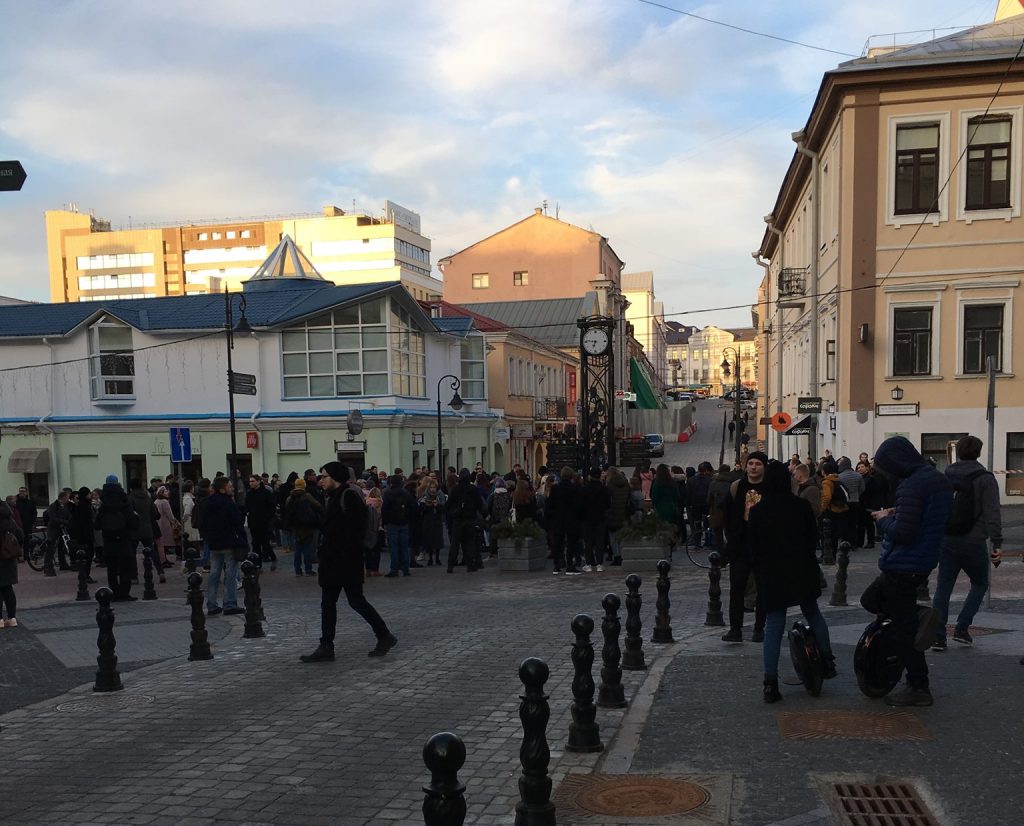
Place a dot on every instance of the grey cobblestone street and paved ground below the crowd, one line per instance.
(257, 737)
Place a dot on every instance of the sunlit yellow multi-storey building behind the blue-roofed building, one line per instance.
(91, 262)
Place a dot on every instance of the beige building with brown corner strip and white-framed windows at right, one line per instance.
(893, 252)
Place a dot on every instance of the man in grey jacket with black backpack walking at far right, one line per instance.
(975, 518)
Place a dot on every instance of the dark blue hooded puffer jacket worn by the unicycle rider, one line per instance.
(912, 538)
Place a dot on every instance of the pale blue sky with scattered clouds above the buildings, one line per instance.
(667, 135)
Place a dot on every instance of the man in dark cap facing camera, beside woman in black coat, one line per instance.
(745, 494)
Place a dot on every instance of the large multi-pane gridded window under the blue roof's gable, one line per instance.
(345, 354)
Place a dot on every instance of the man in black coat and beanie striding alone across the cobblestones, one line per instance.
(342, 563)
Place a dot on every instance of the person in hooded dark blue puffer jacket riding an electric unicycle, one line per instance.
(912, 538)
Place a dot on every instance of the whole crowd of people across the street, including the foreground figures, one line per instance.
(772, 521)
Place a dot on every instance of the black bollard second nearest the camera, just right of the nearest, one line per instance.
(535, 807)
